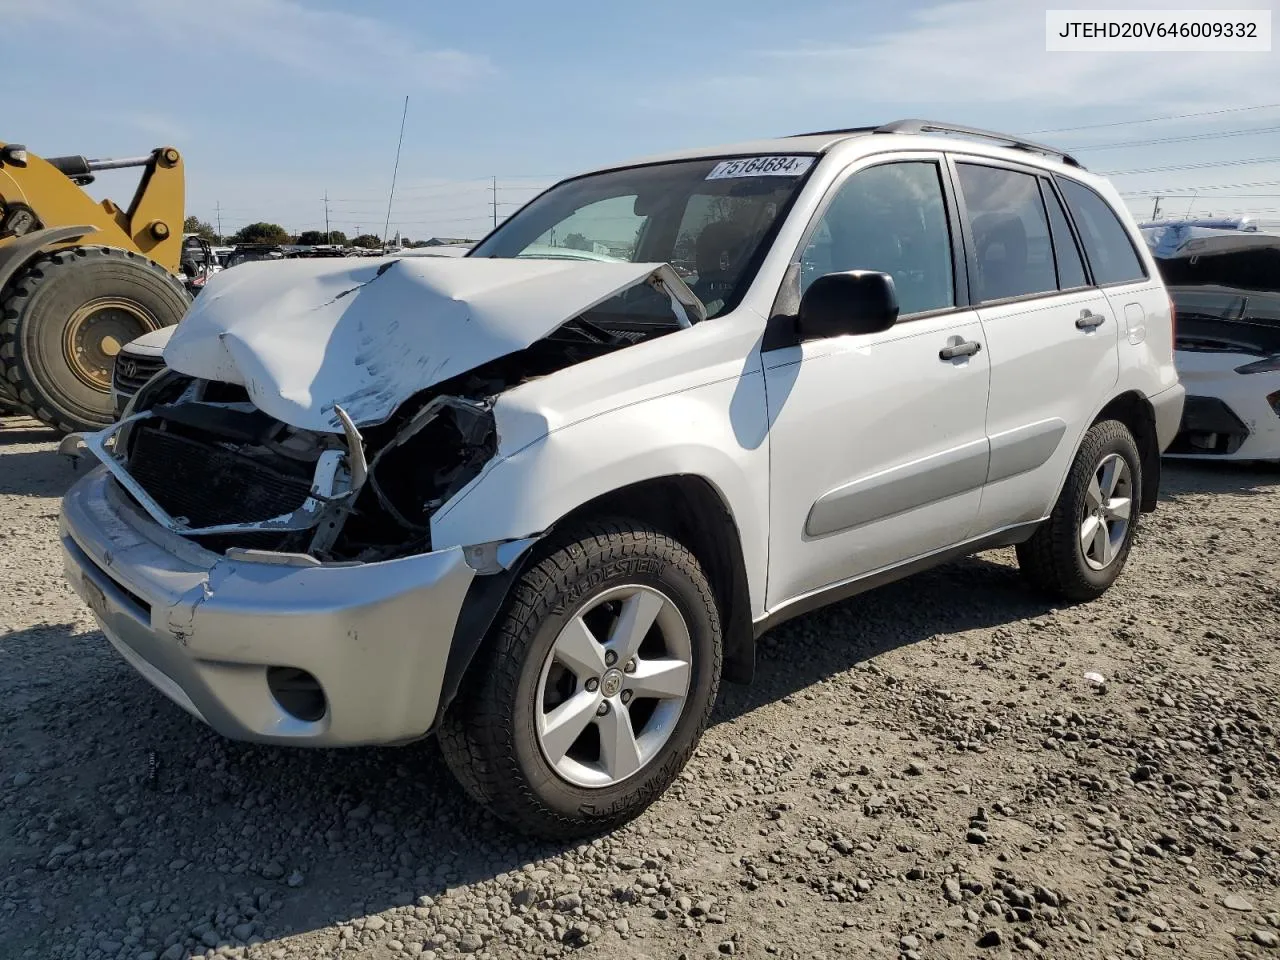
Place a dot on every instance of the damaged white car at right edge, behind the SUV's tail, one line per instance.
(1227, 292)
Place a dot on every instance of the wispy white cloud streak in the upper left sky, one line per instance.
(333, 47)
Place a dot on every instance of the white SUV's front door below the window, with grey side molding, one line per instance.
(879, 451)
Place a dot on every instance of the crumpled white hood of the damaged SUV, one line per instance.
(303, 336)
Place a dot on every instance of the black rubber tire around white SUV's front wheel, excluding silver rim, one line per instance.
(488, 734)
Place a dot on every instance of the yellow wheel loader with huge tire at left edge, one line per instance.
(80, 280)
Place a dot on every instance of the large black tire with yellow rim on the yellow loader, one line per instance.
(63, 321)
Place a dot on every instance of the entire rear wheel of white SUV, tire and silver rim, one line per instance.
(1084, 546)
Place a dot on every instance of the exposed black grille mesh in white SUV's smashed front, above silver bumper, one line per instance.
(209, 484)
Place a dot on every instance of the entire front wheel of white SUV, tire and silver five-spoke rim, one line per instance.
(595, 687)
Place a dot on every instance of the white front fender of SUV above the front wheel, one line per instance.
(683, 404)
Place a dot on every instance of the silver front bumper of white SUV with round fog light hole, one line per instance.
(204, 629)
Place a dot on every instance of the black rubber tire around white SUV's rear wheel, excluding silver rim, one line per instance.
(1054, 560)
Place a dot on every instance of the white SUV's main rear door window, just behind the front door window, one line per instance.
(1013, 252)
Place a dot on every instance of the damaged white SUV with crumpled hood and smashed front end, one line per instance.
(540, 500)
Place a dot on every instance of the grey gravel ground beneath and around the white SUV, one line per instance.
(922, 772)
